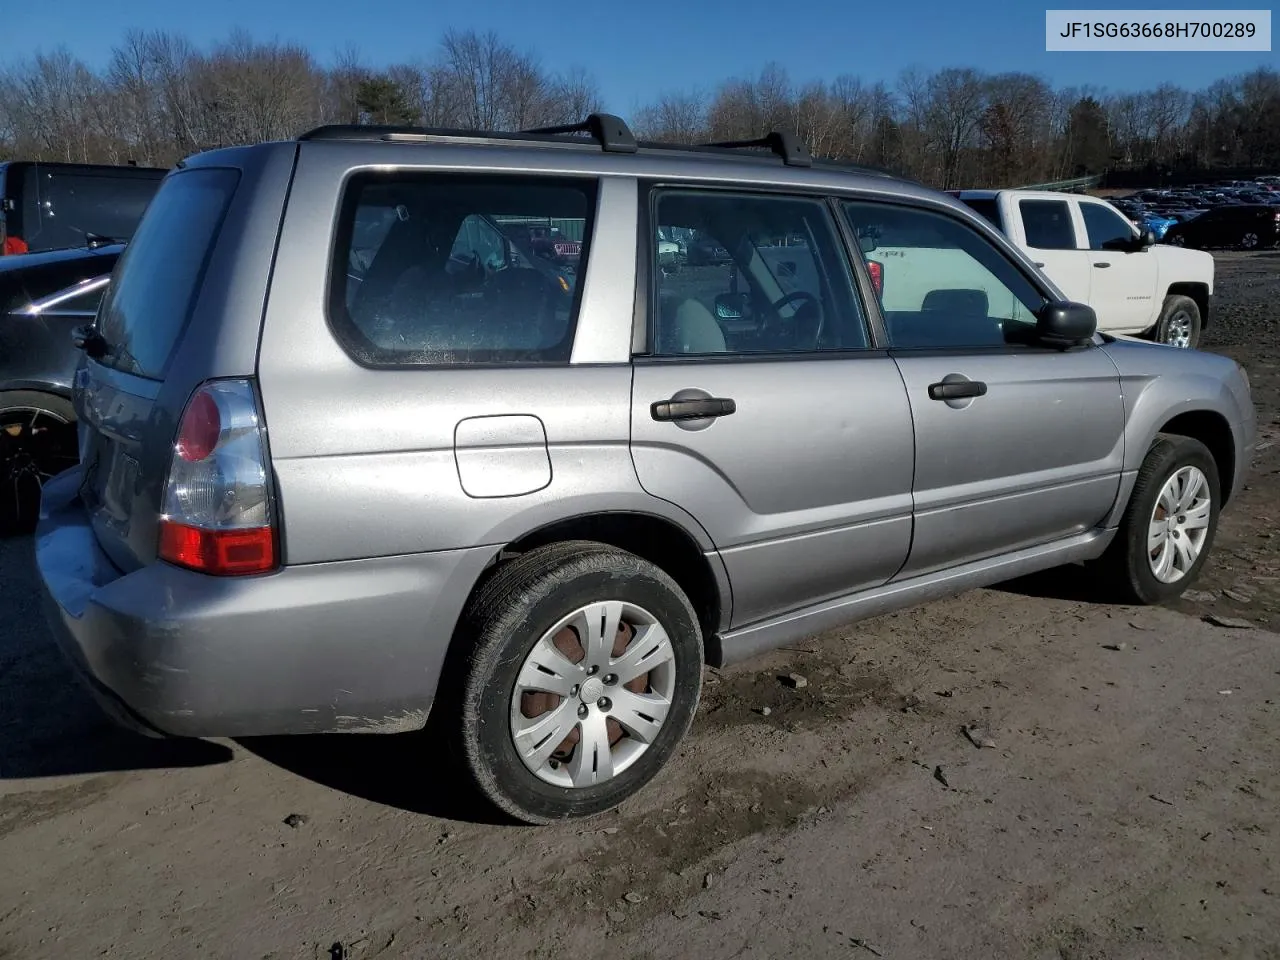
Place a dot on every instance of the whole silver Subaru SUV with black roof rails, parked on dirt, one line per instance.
(359, 436)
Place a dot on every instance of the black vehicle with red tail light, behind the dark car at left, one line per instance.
(56, 205)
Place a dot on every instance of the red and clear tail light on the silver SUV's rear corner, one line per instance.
(218, 515)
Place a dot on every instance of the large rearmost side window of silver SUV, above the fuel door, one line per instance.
(449, 269)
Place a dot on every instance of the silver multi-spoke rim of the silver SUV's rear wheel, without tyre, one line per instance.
(593, 694)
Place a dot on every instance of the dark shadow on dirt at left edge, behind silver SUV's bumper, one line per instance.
(49, 725)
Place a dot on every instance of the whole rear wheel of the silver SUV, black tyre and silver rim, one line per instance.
(583, 675)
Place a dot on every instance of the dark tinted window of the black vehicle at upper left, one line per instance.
(62, 208)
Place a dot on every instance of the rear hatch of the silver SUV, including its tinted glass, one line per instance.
(127, 410)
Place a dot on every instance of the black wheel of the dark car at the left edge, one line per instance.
(38, 441)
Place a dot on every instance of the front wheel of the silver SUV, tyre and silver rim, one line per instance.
(1169, 525)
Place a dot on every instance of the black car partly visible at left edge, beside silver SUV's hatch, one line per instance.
(44, 298)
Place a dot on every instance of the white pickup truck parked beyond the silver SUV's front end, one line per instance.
(1137, 287)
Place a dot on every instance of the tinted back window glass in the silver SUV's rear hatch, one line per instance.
(159, 273)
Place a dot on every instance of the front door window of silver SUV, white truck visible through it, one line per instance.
(944, 284)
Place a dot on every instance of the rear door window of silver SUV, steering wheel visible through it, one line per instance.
(758, 275)
